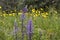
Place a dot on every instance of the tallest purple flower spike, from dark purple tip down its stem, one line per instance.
(23, 17)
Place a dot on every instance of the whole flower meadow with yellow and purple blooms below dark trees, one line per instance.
(44, 26)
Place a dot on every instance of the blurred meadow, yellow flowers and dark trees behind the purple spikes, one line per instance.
(45, 18)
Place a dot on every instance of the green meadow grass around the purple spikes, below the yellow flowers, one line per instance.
(45, 28)
